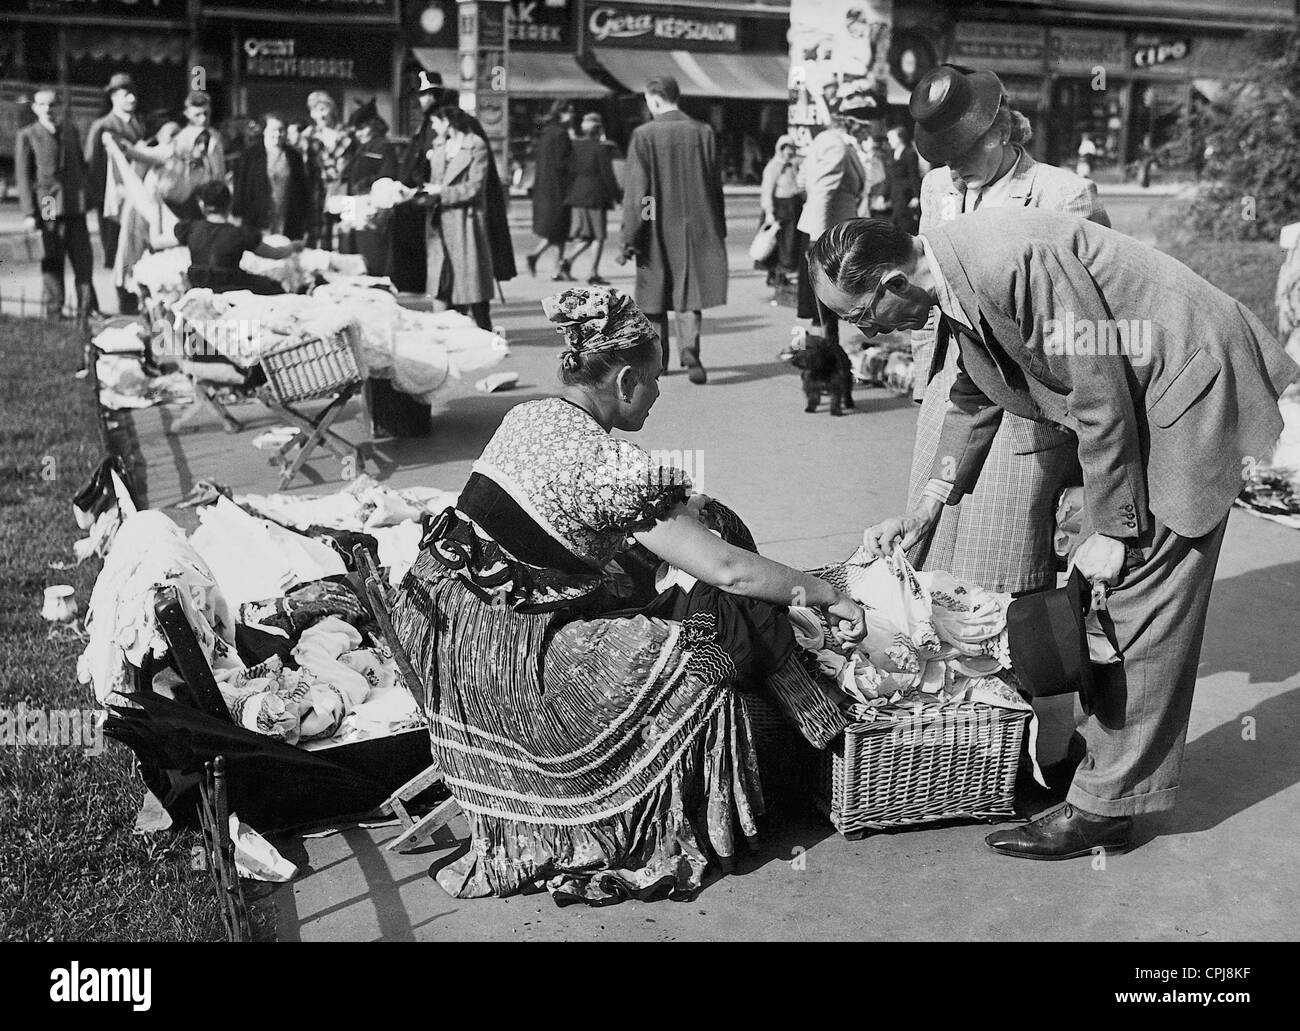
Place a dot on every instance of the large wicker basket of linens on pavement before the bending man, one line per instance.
(942, 764)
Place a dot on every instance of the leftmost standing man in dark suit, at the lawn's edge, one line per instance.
(53, 194)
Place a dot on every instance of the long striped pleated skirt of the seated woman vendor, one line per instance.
(599, 760)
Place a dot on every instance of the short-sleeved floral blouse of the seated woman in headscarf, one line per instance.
(587, 489)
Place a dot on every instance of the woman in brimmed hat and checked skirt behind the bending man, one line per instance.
(1000, 538)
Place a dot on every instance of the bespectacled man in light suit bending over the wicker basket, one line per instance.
(1171, 388)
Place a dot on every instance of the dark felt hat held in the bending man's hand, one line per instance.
(1050, 642)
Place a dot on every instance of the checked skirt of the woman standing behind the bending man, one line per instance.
(1002, 535)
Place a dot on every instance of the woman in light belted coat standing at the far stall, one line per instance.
(461, 271)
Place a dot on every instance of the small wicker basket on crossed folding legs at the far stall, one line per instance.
(311, 370)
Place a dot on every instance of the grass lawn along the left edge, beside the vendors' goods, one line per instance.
(71, 869)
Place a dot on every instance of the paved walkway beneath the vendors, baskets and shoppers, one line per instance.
(808, 484)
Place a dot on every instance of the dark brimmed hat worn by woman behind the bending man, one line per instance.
(954, 107)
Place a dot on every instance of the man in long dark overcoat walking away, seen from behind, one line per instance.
(675, 223)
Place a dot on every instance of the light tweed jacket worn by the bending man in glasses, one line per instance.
(1169, 384)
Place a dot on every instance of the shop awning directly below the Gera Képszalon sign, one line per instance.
(748, 76)
